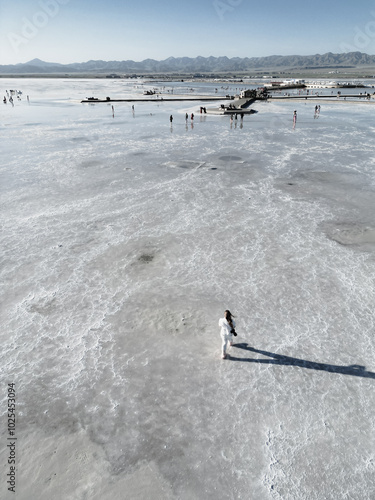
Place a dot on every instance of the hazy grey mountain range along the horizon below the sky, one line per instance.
(204, 65)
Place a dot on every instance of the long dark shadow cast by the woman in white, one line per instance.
(279, 359)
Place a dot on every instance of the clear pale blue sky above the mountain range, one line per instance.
(68, 31)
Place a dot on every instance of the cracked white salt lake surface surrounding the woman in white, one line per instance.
(123, 241)
